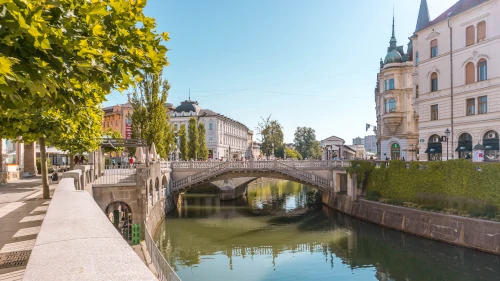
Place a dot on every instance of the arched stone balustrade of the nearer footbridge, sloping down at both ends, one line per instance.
(253, 166)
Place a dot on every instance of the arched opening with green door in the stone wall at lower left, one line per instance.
(120, 215)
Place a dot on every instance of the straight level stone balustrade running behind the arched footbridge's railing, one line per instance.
(303, 164)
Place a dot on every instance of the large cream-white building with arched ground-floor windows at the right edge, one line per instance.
(463, 98)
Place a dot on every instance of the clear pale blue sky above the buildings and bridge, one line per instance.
(307, 62)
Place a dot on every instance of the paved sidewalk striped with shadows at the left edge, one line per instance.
(22, 211)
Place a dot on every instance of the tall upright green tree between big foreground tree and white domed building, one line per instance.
(150, 120)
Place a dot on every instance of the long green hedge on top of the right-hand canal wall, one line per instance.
(452, 180)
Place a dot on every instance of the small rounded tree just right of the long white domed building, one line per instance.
(271, 132)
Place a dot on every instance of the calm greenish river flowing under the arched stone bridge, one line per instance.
(276, 232)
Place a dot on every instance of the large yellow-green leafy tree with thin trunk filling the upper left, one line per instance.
(55, 56)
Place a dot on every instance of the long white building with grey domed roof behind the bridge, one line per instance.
(225, 136)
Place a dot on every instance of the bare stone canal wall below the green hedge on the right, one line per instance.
(466, 232)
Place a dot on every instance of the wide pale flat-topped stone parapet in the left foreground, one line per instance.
(77, 242)
